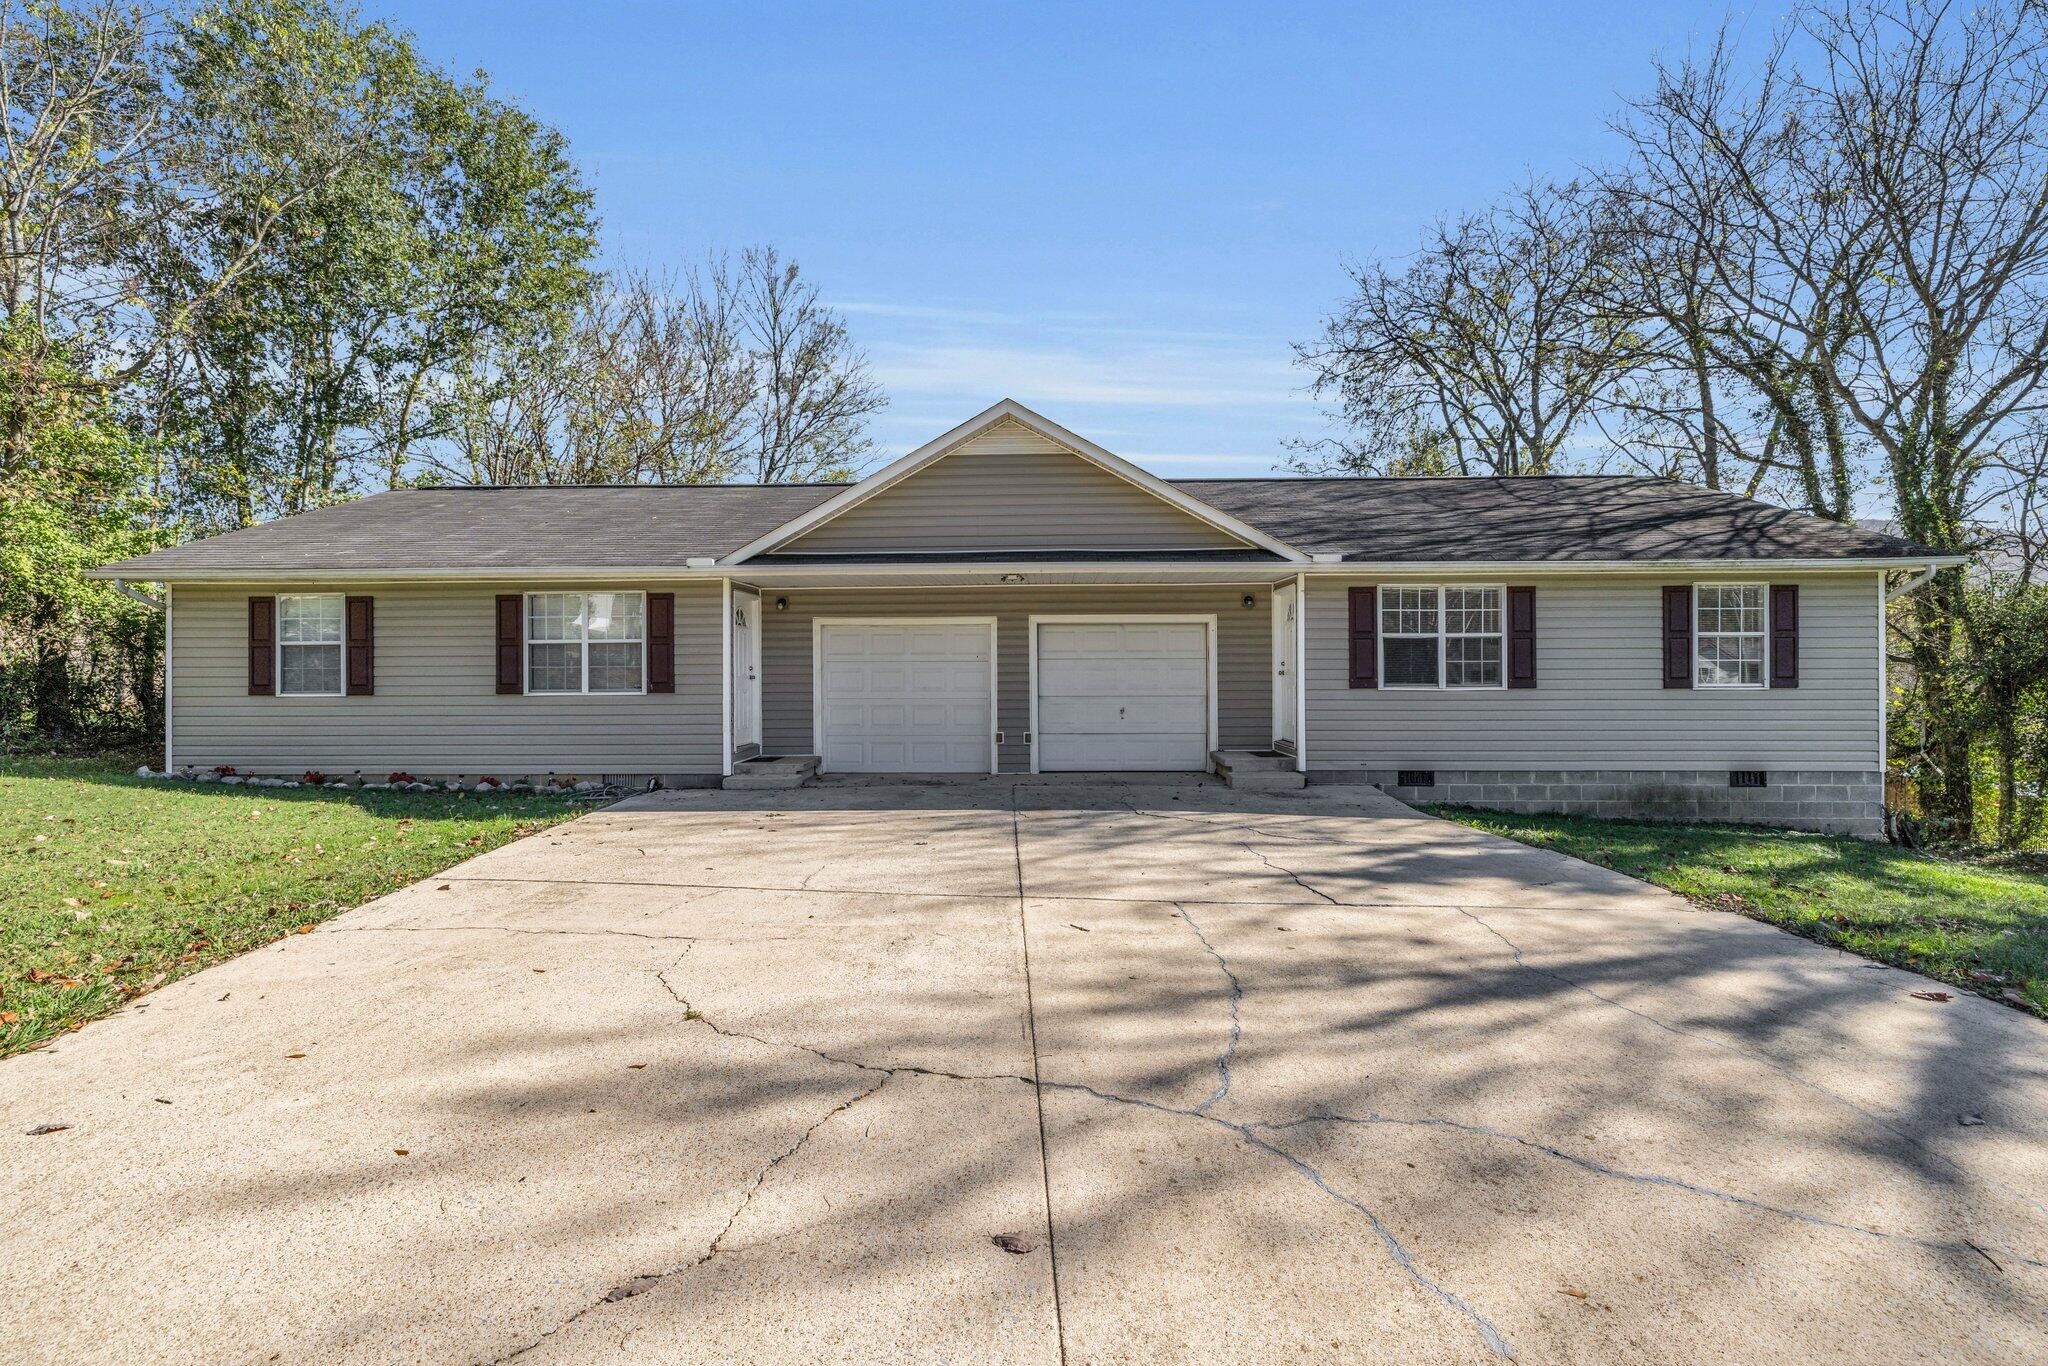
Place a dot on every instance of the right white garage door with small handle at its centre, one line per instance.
(1123, 695)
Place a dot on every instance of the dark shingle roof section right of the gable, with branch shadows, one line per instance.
(1566, 519)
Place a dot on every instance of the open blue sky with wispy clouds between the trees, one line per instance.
(1117, 214)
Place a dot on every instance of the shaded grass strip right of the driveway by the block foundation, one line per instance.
(1973, 925)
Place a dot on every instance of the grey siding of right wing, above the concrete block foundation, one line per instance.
(1601, 699)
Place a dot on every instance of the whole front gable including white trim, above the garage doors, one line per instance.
(1011, 480)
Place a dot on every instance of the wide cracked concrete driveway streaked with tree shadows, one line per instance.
(722, 1076)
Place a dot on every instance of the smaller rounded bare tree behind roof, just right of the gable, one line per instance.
(1486, 355)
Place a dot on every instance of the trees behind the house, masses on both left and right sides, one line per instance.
(261, 255)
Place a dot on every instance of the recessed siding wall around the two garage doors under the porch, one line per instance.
(1244, 648)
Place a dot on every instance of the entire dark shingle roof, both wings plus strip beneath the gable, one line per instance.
(1388, 521)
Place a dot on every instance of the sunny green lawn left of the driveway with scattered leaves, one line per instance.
(112, 886)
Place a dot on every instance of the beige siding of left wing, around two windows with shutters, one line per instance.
(437, 710)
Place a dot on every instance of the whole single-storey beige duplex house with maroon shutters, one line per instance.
(1013, 599)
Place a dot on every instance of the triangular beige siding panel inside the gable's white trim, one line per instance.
(1013, 490)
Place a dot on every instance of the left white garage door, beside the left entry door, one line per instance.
(904, 697)
